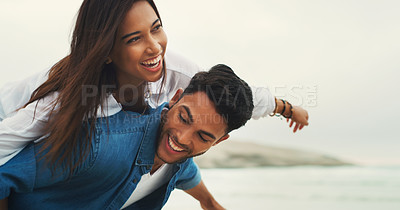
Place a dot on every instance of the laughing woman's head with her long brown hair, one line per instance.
(98, 57)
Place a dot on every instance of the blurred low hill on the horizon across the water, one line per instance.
(235, 154)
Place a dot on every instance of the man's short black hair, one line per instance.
(231, 95)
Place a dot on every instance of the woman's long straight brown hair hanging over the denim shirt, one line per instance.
(92, 40)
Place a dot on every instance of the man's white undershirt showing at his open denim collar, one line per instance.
(149, 183)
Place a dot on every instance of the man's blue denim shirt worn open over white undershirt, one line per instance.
(123, 149)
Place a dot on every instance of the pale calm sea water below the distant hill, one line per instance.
(299, 188)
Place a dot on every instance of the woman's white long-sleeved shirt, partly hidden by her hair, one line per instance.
(19, 127)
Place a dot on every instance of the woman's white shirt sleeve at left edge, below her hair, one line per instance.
(25, 126)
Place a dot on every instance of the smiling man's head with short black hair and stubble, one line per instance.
(214, 103)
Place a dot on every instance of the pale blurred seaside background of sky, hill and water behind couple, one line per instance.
(337, 59)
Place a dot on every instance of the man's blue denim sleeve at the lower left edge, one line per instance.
(19, 174)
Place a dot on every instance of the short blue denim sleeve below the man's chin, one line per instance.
(190, 176)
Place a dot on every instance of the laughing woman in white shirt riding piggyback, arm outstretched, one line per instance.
(117, 61)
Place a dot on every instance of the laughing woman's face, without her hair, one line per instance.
(139, 47)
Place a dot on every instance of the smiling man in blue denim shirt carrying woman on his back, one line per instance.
(137, 160)
